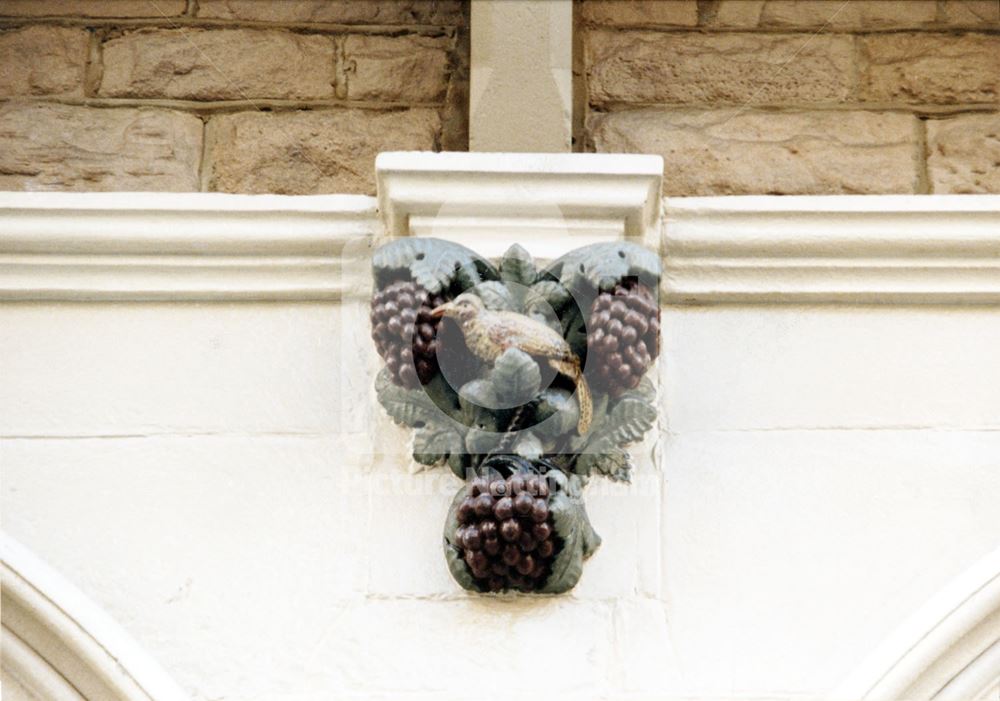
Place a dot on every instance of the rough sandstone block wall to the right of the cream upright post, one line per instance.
(796, 96)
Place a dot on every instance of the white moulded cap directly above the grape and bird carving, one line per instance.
(548, 202)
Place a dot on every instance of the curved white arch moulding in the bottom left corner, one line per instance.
(57, 644)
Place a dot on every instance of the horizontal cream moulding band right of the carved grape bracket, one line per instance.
(898, 249)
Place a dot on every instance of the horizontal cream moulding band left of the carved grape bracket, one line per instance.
(183, 247)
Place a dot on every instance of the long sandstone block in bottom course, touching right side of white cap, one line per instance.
(728, 152)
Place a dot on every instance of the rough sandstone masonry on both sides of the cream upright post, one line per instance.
(297, 96)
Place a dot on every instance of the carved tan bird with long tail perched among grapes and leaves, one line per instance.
(489, 333)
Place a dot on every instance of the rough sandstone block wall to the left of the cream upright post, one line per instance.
(289, 96)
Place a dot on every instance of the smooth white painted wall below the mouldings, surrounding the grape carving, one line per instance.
(216, 475)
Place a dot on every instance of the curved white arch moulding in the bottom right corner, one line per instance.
(949, 650)
